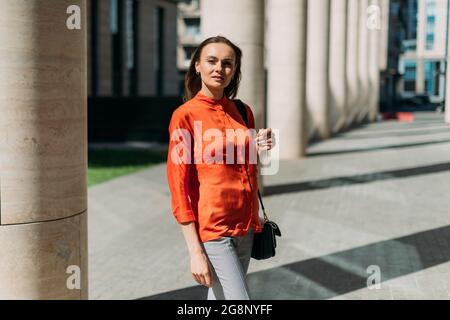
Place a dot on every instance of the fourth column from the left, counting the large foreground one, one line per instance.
(317, 88)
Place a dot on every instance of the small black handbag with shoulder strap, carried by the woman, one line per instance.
(265, 242)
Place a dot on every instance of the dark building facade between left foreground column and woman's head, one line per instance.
(132, 48)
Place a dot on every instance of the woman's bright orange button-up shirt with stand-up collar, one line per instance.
(221, 198)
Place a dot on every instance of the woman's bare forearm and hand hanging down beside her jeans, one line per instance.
(200, 268)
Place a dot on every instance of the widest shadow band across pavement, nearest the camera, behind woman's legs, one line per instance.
(342, 272)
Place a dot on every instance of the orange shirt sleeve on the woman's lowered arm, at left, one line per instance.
(179, 159)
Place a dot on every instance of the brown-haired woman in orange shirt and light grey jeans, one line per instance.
(215, 202)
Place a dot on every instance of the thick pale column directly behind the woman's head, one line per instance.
(242, 22)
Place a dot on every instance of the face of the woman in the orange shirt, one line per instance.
(216, 65)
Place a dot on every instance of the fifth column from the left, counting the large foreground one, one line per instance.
(338, 55)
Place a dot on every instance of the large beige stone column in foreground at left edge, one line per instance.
(43, 151)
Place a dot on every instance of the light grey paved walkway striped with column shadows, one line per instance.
(375, 196)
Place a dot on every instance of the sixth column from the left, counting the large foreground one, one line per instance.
(352, 57)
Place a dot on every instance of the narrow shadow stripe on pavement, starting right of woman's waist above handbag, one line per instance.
(356, 179)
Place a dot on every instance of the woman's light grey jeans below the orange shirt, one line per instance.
(229, 257)
